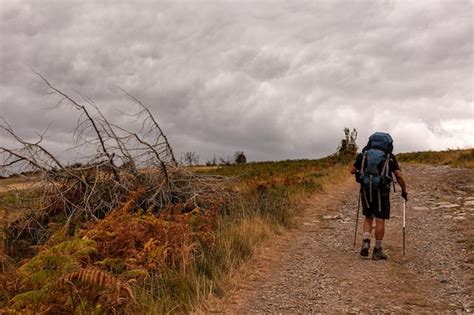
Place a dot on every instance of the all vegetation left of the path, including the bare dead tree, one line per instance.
(127, 230)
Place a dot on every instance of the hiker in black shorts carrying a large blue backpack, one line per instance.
(374, 169)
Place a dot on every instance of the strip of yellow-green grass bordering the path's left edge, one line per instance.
(265, 206)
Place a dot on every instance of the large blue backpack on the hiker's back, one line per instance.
(374, 174)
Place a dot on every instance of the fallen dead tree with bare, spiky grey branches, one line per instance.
(117, 162)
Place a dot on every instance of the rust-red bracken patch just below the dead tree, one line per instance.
(147, 241)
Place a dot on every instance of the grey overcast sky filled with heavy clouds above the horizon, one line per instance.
(275, 79)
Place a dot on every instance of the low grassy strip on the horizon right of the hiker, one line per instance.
(455, 158)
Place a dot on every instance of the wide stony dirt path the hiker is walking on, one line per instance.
(316, 268)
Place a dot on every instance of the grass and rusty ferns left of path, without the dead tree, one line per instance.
(171, 262)
